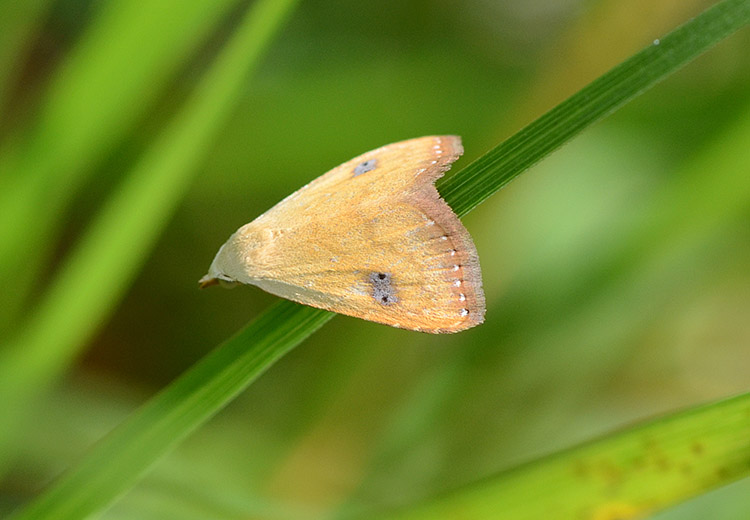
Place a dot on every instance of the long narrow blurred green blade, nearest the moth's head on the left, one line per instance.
(110, 253)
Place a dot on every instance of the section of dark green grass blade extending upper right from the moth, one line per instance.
(499, 166)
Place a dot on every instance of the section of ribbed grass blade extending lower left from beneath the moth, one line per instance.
(119, 459)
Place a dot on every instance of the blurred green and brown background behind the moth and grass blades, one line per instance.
(616, 271)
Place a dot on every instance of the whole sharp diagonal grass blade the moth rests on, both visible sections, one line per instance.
(154, 429)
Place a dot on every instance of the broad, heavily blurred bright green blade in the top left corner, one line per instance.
(109, 82)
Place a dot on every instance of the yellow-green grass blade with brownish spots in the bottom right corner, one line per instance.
(630, 474)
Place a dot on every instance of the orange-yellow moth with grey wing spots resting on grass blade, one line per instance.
(371, 238)
